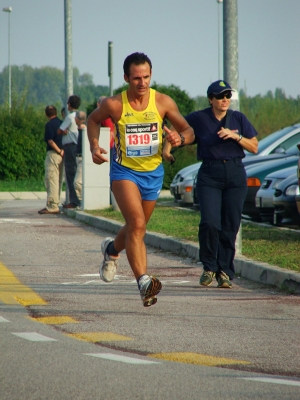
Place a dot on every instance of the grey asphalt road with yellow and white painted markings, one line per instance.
(66, 334)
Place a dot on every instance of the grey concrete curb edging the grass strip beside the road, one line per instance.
(256, 271)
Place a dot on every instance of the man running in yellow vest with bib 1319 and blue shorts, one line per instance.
(136, 171)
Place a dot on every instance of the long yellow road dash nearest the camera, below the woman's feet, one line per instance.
(196, 358)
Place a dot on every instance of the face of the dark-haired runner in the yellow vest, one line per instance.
(139, 78)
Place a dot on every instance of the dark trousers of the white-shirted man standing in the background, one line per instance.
(71, 168)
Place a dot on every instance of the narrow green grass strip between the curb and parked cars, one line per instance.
(271, 245)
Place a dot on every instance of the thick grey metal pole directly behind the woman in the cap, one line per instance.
(231, 67)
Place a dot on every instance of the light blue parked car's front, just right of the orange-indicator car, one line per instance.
(264, 195)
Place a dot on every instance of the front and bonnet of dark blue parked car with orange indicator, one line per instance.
(255, 175)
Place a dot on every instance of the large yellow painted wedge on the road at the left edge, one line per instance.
(12, 291)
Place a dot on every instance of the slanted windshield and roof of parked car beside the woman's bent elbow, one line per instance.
(278, 142)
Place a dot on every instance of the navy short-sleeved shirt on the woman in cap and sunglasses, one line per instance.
(209, 144)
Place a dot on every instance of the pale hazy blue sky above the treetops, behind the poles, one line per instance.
(181, 37)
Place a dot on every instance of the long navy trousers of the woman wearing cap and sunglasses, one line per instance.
(221, 190)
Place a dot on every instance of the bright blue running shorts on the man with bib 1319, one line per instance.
(148, 183)
